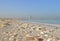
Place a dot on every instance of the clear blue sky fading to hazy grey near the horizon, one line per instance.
(35, 8)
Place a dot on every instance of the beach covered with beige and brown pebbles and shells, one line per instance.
(16, 30)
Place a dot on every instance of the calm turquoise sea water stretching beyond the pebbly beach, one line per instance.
(45, 21)
